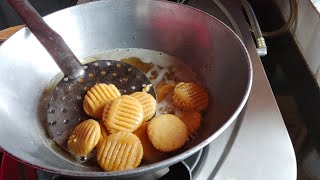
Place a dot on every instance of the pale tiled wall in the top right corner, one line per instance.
(306, 31)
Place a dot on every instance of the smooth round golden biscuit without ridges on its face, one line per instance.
(167, 132)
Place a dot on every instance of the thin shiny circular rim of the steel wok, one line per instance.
(172, 160)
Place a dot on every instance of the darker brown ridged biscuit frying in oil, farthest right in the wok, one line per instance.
(190, 96)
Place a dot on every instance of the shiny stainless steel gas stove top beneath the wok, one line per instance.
(258, 147)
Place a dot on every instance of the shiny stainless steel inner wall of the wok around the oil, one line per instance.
(205, 47)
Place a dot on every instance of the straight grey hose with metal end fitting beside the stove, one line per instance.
(261, 44)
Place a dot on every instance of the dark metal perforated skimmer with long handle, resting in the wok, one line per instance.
(65, 103)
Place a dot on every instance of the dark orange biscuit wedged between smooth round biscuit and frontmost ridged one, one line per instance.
(150, 153)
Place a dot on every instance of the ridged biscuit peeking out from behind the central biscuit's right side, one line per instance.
(149, 104)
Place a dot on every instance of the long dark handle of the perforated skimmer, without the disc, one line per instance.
(52, 41)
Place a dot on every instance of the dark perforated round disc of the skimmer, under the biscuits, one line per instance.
(65, 106)
